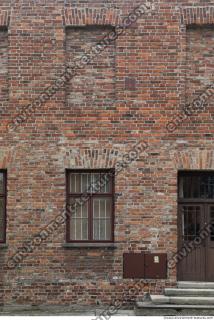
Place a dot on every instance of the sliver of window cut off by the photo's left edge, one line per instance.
(3, 192)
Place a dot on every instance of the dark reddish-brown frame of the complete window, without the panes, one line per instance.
(111, 194)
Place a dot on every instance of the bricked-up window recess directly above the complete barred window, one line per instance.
(92, 91)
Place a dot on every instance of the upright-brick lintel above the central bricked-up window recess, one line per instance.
(86, 16)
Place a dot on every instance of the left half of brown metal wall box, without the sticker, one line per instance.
(133, 265)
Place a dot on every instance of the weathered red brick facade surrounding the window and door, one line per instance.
(126, 94)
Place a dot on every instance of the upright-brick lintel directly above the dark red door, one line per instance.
(194, 159)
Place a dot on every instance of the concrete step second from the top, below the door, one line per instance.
(189, 292)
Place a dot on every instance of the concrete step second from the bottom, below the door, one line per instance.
(161, 299)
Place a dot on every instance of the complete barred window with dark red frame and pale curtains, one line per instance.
(90, 197)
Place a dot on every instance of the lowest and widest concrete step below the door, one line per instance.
(148, 309)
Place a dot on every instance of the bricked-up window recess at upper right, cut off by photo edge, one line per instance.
(200, 59)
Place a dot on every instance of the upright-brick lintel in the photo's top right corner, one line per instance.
(197, 15)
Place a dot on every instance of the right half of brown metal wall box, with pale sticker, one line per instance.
(155, 266)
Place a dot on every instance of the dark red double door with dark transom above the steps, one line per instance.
(196, 227)
